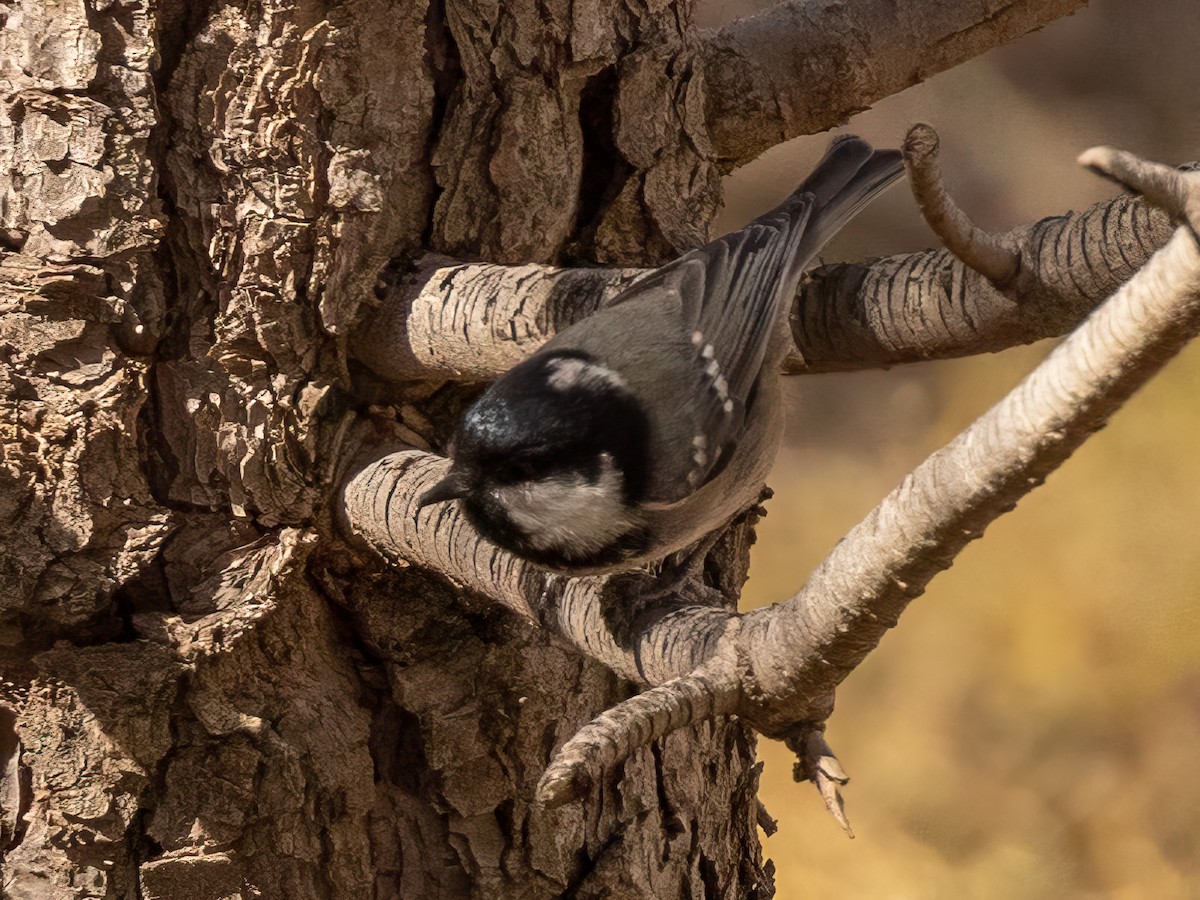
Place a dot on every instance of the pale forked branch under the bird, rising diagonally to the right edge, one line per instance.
(778, 667)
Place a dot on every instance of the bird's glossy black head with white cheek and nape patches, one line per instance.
(551, 463)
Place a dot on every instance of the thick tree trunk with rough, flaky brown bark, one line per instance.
(206, 694)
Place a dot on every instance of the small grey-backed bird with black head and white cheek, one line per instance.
(637, 433)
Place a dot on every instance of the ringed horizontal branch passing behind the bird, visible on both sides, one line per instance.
(475, 321)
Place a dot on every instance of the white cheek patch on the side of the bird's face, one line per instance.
(568, 513)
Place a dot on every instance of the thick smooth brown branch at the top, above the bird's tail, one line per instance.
(805, 67)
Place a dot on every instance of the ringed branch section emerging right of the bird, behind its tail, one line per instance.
(932, 305)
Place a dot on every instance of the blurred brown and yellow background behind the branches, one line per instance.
(1033, 728)
